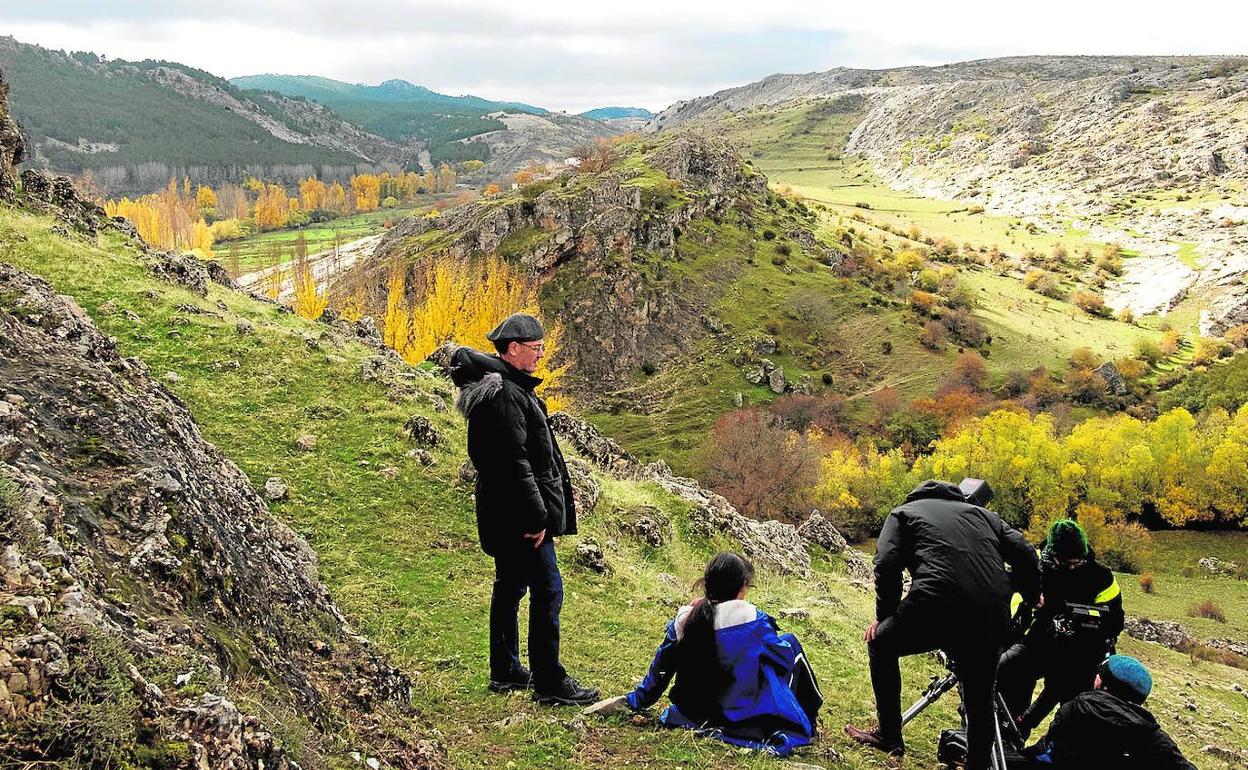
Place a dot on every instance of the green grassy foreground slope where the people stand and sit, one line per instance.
(397, 547)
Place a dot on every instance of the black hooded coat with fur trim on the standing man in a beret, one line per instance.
(522, 481)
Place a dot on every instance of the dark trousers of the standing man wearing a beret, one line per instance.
(522, 570)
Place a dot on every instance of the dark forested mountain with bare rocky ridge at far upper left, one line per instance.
(134, 123)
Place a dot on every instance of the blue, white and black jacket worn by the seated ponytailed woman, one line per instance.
(759, 706)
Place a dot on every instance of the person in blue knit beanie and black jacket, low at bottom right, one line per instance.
(1109, 728)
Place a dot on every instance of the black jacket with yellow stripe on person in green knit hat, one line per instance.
(1089, 583)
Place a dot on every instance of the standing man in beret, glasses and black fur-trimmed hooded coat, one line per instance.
(524, 502)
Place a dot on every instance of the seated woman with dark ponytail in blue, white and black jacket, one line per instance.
(738, 678)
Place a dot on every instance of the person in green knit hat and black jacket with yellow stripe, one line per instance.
(1063, 647)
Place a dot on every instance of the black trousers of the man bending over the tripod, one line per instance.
(974, 645)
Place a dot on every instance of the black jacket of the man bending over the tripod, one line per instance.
(957, 555)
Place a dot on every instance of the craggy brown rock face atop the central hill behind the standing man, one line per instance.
(605, 244)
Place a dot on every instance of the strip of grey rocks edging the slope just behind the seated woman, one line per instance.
(772, 545)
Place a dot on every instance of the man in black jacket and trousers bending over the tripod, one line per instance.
(959, 602)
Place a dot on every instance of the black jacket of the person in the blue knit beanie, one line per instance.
(1104, 732)
